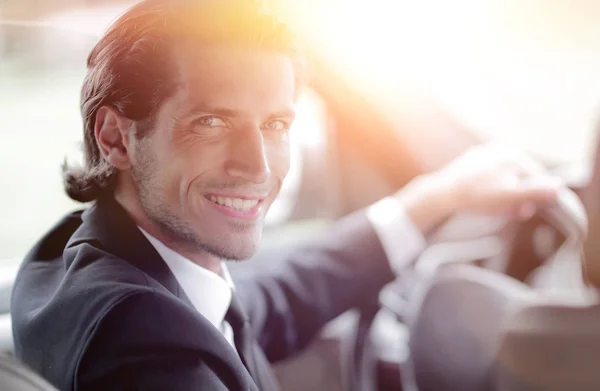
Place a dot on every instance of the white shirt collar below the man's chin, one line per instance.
(209, 292)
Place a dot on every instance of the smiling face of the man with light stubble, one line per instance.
(219, 149)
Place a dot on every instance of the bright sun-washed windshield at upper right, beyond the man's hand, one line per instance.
(521, 71)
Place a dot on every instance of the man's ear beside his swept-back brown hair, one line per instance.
(111, 130)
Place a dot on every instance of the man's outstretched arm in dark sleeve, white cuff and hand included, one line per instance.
(350, 265)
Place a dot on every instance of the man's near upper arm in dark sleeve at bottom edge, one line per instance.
(148, 341)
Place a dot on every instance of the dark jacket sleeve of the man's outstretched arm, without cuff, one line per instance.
(315, 283)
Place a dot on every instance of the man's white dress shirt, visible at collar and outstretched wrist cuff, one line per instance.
(211, 294)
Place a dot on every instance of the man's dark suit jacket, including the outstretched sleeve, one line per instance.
(95, 307)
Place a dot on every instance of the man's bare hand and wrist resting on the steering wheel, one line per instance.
(489, 179)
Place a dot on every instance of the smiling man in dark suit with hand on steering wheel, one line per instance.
(186, 109)
